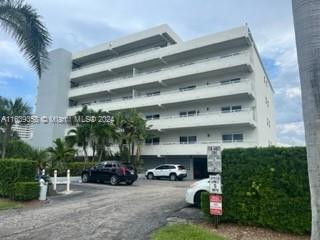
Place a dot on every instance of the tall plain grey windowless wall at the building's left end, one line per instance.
(52, 98)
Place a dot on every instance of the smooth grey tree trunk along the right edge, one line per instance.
(307, 27)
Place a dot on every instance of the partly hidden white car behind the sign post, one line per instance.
(193, 194)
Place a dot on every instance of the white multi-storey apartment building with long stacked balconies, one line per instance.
(212, 90)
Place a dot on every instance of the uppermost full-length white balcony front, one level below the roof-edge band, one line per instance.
(239, 60)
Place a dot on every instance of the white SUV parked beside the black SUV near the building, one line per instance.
(171, 171)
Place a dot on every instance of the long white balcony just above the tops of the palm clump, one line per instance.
(242, 87)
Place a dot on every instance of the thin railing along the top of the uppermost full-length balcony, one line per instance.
(165, 68)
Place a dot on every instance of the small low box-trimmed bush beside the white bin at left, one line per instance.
(24, 191)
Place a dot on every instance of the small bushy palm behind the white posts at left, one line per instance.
(60, 153)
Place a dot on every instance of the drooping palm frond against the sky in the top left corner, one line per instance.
(22, 22)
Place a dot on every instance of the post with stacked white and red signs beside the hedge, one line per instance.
(215, 185)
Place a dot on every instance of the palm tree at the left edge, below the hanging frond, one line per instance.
(9, 110)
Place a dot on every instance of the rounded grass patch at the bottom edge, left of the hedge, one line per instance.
(184, 232)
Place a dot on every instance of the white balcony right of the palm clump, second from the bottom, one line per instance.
(245, 117)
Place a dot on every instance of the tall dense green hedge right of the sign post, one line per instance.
(267, 187)
